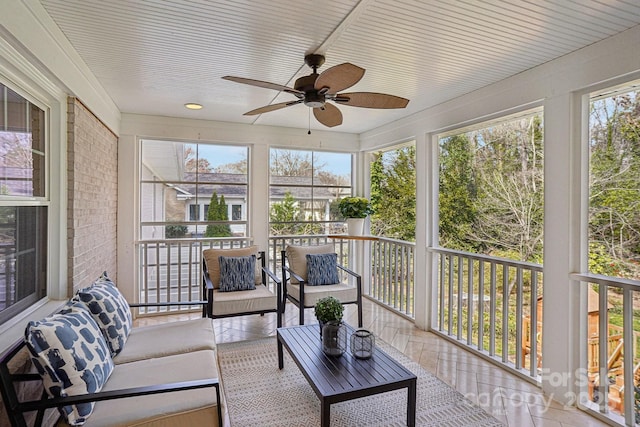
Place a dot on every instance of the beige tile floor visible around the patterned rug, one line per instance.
(510, 399)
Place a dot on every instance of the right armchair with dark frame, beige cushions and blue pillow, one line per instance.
(303, 293)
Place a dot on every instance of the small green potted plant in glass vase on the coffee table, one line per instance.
(329, 312)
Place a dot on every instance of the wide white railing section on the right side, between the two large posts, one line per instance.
(485, 302)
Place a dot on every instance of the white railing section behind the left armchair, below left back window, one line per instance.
(171, 270)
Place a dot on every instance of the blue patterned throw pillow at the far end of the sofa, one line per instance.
(110, 311)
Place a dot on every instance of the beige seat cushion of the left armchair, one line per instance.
(258, 299)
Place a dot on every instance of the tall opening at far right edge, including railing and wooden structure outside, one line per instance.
(614, 246)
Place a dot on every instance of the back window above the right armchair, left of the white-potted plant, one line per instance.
(305, 188)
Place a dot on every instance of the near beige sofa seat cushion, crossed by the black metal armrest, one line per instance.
(183, 408)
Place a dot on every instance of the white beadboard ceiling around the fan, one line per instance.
(153, 56)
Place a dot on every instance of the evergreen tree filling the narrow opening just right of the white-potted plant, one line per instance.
(393, 194)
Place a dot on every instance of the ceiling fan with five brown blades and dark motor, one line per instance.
(316, 89)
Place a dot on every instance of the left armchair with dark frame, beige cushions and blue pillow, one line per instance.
(223, 302)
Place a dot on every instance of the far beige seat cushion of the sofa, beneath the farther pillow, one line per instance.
(167, 339)
